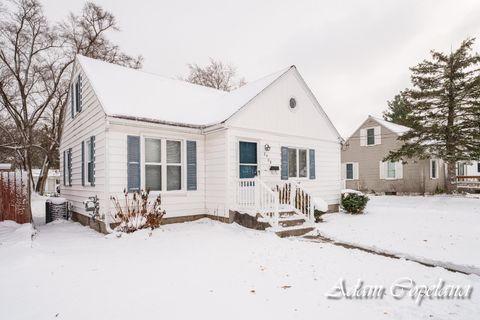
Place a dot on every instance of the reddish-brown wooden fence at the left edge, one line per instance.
(14, 197)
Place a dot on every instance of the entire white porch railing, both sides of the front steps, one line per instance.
(255, 196)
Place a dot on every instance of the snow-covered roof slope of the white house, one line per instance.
(125, 92)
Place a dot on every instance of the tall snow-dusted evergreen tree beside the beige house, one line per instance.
(445, 106)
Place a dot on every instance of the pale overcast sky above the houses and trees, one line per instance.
(353, 54)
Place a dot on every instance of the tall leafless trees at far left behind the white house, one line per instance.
(36, 65)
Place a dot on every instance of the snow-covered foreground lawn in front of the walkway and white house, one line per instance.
(203, 270)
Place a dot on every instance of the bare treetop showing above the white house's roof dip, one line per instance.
(216, 75)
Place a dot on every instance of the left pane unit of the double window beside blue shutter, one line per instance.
(153, 164)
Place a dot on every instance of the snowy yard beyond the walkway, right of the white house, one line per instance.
(443, 230)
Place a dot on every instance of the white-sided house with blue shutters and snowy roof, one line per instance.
(207, 152)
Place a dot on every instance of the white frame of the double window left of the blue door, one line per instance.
(163, 149)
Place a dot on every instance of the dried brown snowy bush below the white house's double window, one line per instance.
(138, 212)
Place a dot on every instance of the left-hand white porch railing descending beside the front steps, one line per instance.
(254, 196)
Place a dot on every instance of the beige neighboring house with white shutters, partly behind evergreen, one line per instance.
(363, 167)
